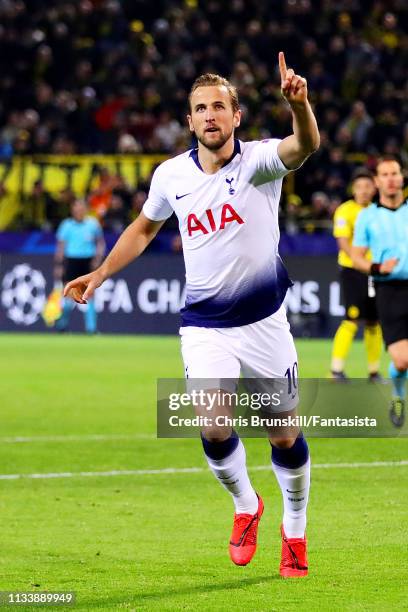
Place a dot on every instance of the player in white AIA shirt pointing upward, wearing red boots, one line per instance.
(225, 194)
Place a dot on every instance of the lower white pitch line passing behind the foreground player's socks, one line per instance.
(191, 470)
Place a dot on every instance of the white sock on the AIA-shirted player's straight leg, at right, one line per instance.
(294, 484)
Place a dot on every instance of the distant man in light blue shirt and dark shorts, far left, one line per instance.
(80, 249)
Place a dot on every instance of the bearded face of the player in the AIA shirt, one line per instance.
(212, 117)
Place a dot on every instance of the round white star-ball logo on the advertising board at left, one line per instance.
(23, 294)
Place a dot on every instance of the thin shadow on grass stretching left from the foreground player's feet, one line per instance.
(168, 593)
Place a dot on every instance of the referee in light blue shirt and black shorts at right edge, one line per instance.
(383, 228)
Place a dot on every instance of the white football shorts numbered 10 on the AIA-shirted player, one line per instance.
(261, 350)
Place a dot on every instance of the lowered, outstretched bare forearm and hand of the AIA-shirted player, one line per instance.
(130, 245)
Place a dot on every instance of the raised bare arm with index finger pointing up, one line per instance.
(305, 139)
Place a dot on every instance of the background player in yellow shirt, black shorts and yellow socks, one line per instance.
(357, 287)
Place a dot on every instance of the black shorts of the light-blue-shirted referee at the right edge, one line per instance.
(392, 305)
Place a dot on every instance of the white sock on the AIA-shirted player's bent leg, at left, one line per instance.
(232, 474)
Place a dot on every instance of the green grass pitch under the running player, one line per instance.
(159, 541)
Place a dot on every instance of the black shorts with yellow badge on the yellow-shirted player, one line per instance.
(357, 302)
